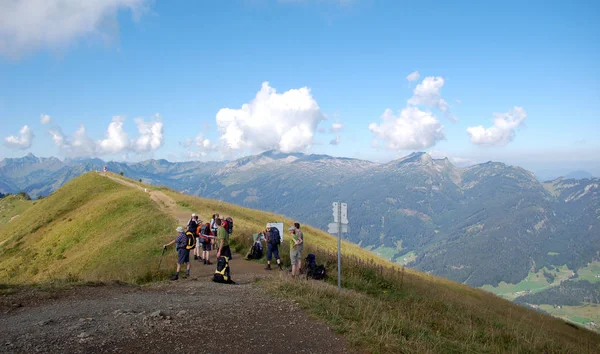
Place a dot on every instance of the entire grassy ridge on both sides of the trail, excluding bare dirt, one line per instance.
(95, 228)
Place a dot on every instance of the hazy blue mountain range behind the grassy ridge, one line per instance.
(483, 224)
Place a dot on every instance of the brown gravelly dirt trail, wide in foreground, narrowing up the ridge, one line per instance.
(191, 315)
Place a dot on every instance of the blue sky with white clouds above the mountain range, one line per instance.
(535, 64)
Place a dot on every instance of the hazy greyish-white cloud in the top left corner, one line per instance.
(29, 25)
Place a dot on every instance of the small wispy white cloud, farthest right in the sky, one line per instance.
(503, 130)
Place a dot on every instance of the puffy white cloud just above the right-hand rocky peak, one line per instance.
(412, 129)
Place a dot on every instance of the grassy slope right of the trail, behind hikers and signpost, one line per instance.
(386, 309)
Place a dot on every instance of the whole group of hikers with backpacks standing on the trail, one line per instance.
(201, 238)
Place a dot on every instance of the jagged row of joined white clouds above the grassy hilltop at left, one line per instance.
(116, 139)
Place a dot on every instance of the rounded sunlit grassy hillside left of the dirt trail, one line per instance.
(92, 228)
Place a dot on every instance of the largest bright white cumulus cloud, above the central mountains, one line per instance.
(284, 121)
